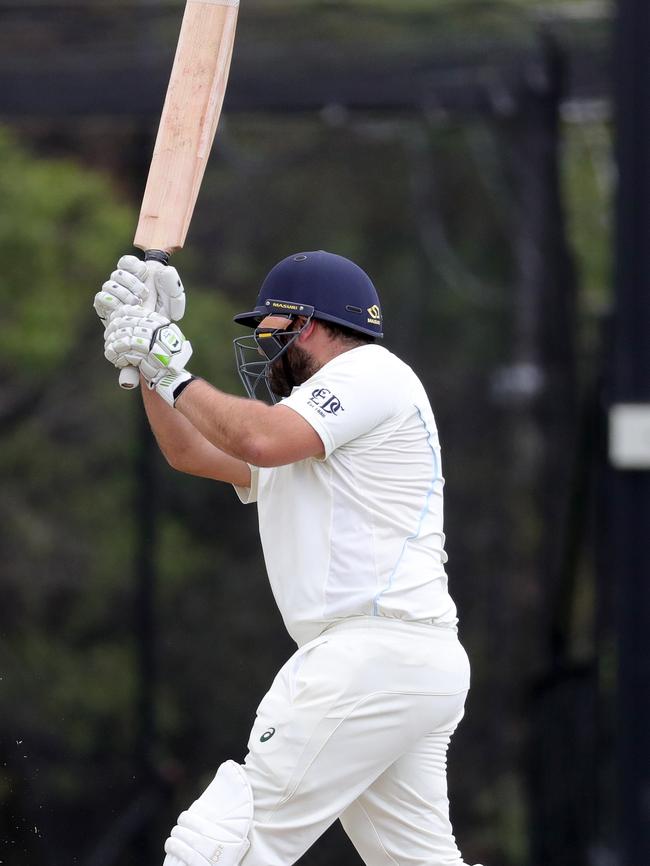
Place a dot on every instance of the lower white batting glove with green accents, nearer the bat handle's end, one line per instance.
(149, 341)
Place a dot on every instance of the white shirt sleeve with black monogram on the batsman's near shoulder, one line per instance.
(344, 401)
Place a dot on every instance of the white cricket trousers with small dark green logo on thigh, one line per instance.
(356, 726)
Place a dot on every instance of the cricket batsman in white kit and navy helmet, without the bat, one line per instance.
(339, 449)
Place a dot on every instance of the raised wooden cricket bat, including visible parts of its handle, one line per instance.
(188, 124)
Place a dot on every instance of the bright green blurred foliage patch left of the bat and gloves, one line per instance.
(58, 227)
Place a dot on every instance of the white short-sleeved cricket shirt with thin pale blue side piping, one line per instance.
(359, 532)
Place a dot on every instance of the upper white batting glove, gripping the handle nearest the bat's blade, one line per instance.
(132, 284)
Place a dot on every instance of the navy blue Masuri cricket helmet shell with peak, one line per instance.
(333, 287)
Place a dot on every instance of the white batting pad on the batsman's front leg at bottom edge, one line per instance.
(215, 828)
